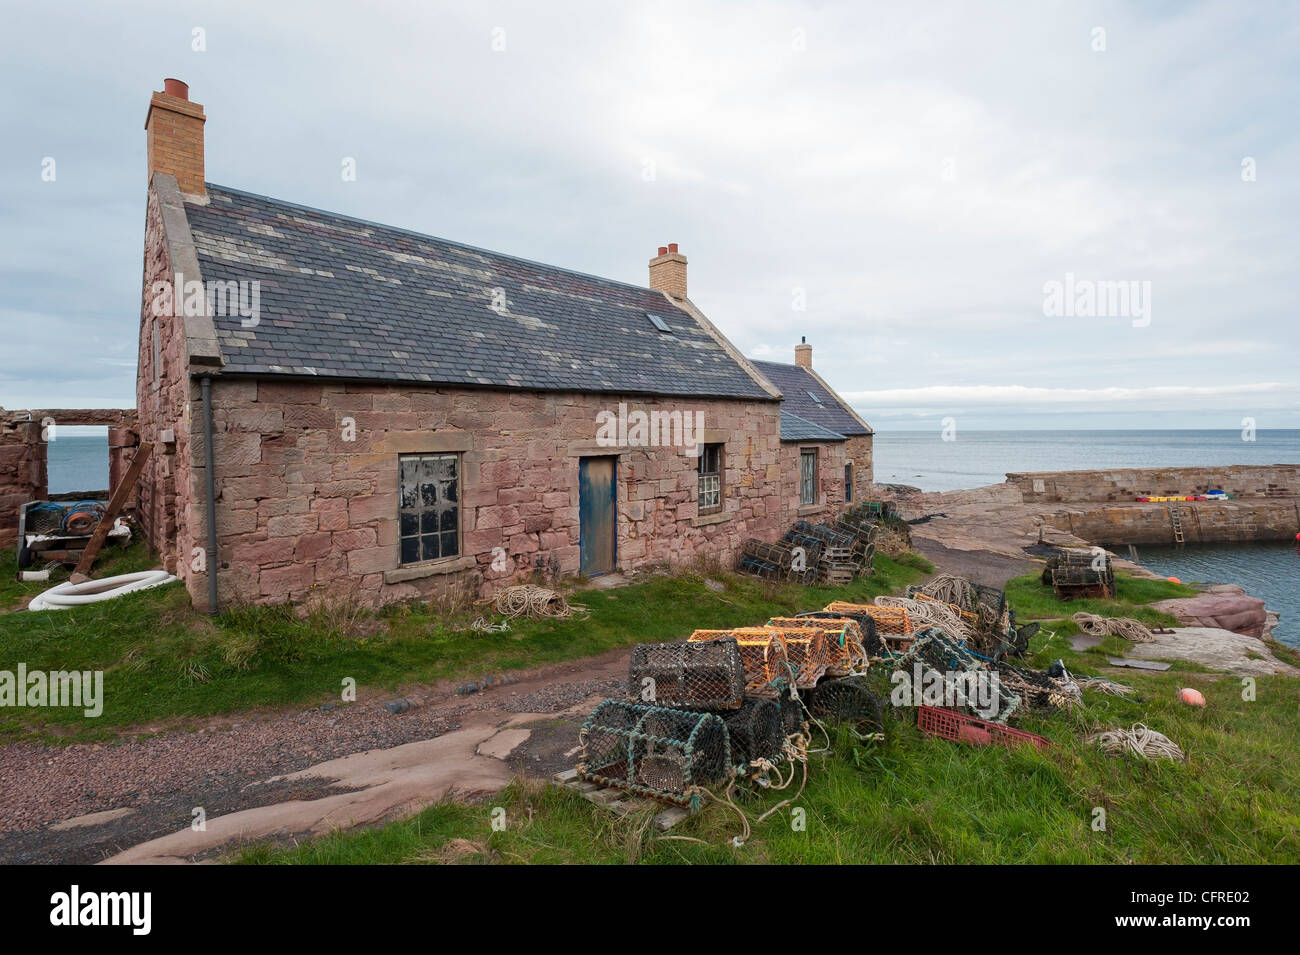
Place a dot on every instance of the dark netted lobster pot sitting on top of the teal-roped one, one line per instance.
(704, 675)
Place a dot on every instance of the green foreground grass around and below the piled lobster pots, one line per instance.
(918, 800)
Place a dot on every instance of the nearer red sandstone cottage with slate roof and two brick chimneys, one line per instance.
(392, 414)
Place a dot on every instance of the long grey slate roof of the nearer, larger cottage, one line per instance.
(352, 299)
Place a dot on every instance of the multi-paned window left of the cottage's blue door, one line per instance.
(428, 509)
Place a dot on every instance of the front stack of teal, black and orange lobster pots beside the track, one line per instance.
(729, 705)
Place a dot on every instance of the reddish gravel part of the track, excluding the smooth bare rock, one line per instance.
(223, 767)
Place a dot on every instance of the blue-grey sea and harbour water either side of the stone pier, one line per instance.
(1272, 572)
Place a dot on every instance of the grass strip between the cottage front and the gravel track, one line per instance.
(166, 666)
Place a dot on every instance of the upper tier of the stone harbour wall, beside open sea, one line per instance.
(1126, 484)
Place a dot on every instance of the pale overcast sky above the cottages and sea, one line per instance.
(898, 183)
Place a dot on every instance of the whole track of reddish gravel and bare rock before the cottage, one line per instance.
(293, 771)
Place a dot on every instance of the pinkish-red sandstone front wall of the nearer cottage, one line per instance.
(307, 477)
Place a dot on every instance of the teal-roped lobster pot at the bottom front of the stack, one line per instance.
(655, 752)
